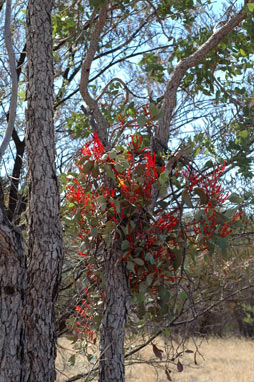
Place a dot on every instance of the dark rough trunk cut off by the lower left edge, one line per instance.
(12, 301)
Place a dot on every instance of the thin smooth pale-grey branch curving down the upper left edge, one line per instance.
(14, 79)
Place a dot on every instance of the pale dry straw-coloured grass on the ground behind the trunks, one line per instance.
(225, 360)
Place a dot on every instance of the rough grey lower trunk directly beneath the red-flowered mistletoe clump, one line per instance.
(112, 331)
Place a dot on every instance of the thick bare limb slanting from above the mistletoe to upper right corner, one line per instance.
(161, 137)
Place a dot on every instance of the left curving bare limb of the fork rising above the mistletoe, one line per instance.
(101, 123)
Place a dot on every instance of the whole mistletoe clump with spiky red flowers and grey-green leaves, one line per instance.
(110, 198)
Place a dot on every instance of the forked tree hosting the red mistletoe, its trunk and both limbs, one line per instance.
(117, 291)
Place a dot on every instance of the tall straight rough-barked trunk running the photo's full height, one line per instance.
(45, 252)
